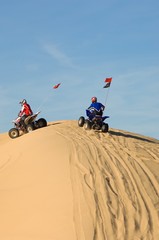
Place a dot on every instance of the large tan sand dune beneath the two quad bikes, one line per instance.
(65, 183)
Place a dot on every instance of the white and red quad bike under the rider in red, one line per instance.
(29, 125)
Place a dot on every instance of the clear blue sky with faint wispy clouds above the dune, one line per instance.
(79, 43)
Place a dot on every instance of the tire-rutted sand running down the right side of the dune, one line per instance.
(108, 174)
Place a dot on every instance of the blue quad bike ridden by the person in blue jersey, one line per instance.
(93, 121)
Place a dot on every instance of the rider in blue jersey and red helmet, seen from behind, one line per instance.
(96, 107)
